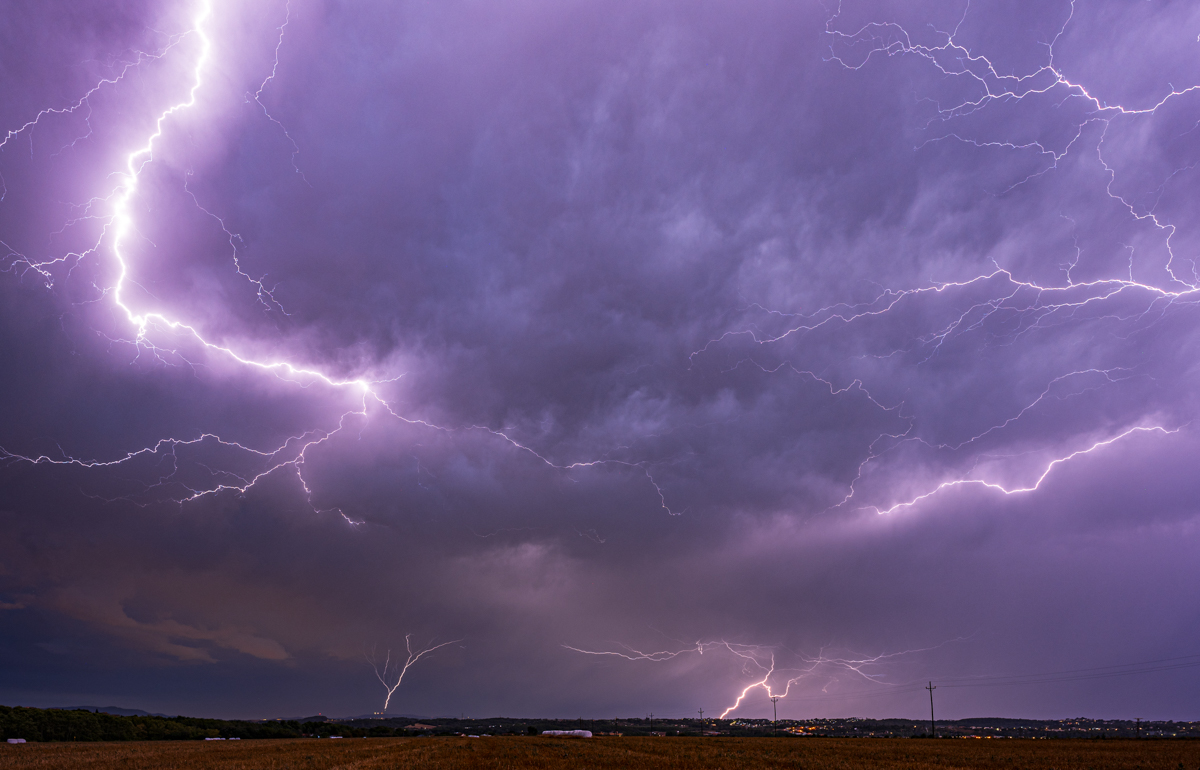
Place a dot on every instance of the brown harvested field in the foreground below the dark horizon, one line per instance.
(503, 754)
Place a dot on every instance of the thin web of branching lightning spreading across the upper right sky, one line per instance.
(1137, 299)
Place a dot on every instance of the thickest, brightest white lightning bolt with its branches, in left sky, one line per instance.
(121, 227)
